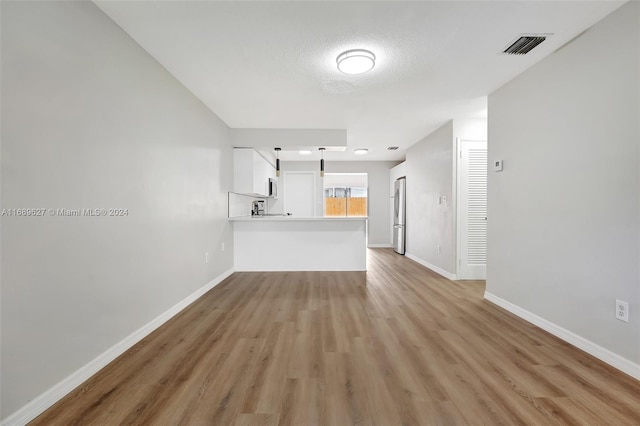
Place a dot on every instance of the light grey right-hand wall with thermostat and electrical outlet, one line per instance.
(564, 215)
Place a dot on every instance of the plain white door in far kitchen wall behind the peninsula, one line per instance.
(299, 193)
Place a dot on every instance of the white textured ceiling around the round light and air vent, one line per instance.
(272, 64)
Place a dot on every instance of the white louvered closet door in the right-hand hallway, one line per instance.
(473, 210)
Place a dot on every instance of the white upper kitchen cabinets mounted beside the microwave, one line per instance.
(251, 172)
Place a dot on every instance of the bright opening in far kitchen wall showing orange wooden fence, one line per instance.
(345, 194)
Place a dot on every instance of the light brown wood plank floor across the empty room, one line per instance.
(398, 345)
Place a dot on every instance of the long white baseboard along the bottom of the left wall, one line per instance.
(45, 400)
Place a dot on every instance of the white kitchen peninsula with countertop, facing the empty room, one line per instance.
(289, 243)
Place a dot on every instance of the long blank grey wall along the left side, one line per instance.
(90, 120)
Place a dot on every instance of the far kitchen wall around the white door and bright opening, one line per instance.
(378, 175)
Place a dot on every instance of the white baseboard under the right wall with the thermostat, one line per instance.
(613, 359)
